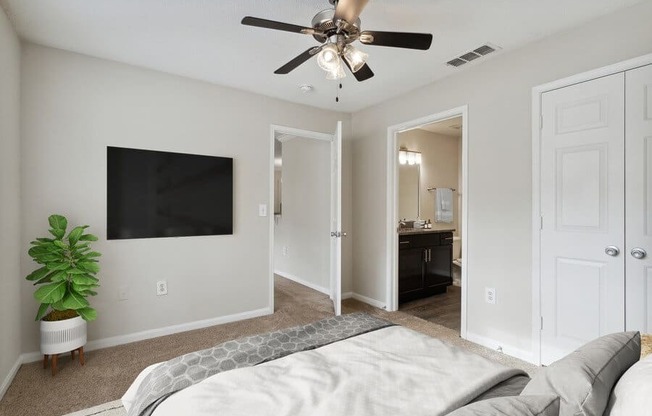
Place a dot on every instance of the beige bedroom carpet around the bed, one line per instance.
(109, 372)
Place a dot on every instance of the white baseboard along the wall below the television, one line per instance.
(159, 332)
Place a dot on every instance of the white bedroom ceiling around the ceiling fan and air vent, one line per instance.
(204, 39)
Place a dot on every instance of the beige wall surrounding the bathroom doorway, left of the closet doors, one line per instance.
(498, 95)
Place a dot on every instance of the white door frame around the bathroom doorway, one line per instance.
(392, 204)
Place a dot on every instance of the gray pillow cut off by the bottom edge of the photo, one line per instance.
(547, 405)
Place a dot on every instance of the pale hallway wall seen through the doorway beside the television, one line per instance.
(304, 224)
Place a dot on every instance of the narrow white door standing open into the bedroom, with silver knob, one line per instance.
(336, 219)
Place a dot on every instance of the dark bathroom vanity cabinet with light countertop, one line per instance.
(425, 258)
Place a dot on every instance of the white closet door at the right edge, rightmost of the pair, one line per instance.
(638, 191)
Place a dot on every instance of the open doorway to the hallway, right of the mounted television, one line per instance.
(304, 254)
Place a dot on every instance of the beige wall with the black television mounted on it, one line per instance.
(74, 106)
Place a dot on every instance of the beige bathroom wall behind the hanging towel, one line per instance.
(439, 168)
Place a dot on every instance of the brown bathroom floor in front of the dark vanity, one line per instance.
(444, 309)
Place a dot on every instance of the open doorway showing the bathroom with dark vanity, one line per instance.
(427, 238)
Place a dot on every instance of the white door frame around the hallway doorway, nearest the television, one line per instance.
(290, 131)
